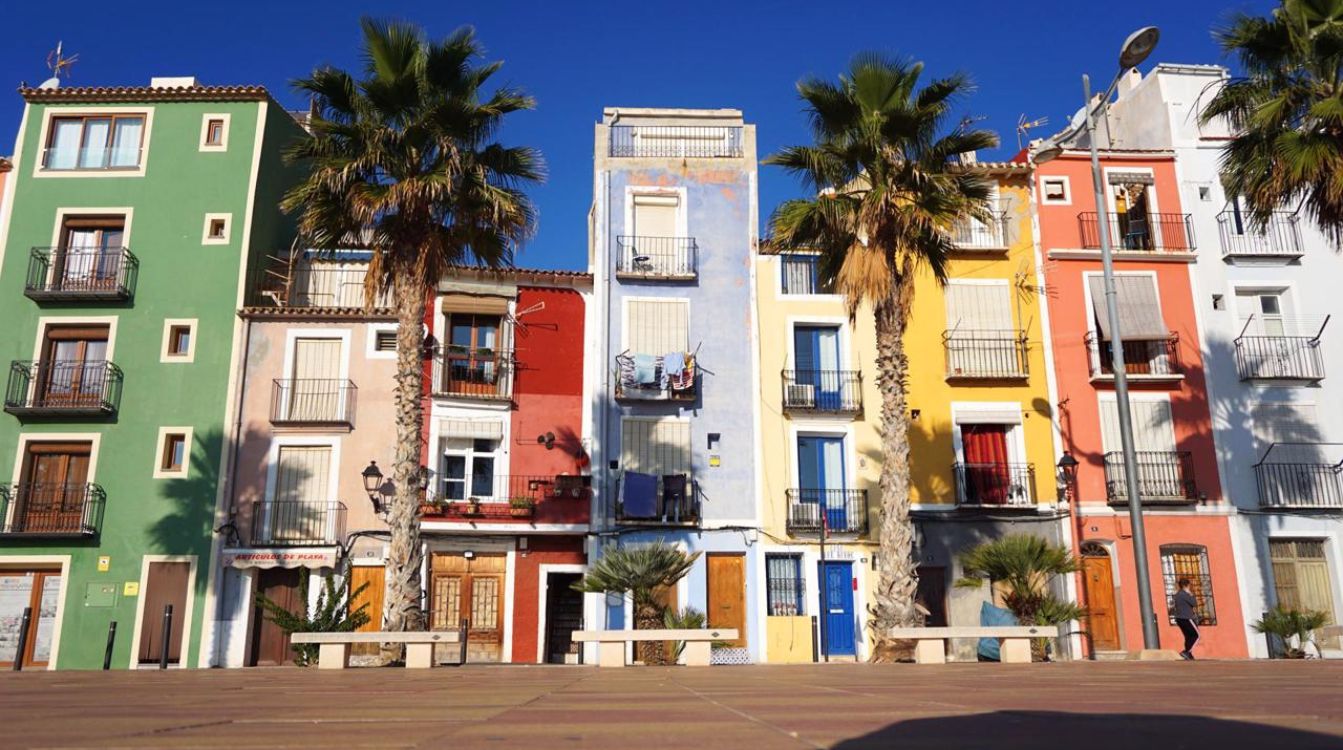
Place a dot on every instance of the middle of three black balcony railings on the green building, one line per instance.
(64, 388)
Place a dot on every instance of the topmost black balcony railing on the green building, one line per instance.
(81, 274)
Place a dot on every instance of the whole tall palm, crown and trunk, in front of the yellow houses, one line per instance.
(888, 190)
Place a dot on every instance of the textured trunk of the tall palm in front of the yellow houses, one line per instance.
(898, 580)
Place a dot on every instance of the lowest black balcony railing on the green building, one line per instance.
(37, 509)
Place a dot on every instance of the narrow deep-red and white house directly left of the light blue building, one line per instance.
(510, 499)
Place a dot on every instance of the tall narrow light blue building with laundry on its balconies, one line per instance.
(672, 233)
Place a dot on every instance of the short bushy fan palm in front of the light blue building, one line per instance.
(643, 572)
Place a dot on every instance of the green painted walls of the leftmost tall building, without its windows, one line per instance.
(179, 278)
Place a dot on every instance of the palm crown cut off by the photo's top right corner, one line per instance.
(1287, 112)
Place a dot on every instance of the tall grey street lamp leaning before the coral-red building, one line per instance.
(1136, 50)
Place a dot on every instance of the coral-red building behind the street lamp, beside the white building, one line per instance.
(1187, 517)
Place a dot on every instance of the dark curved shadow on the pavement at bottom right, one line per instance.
(1004, 731)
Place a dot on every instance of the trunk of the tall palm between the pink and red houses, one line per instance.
(402, 611)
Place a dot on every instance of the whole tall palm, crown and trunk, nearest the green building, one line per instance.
(404, 162)
